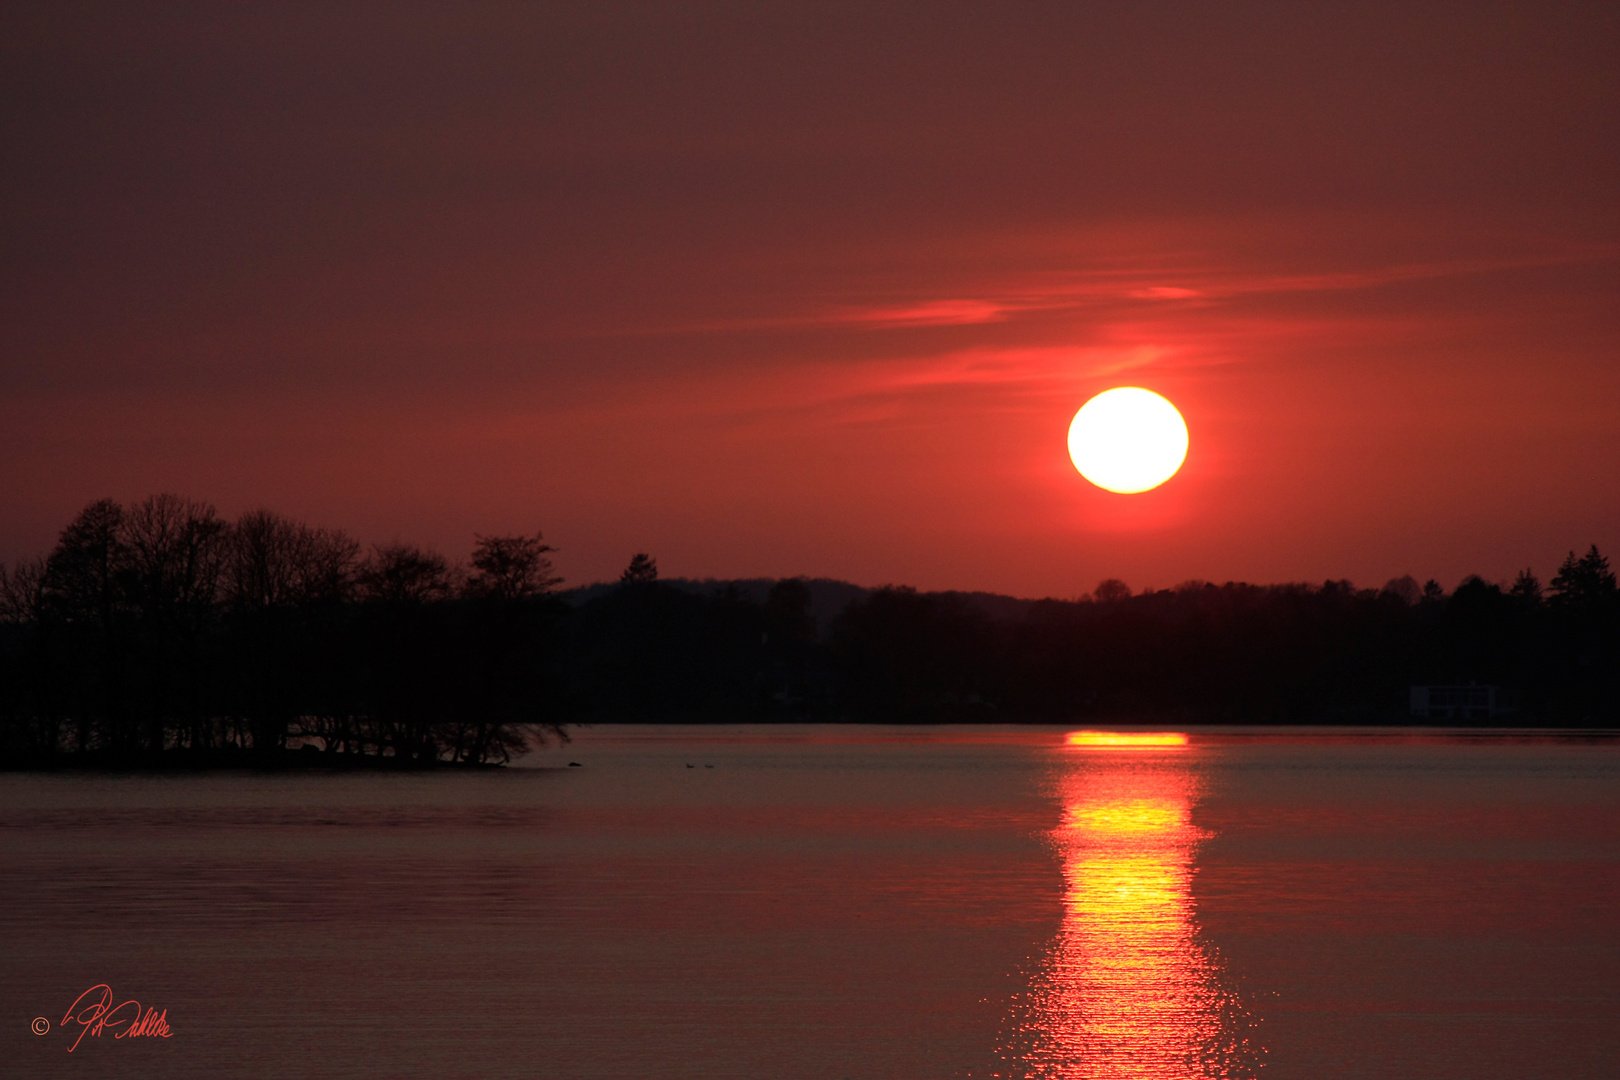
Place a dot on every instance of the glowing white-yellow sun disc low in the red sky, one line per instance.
(1128, 440)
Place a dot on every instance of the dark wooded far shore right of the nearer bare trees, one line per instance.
(1198, 653)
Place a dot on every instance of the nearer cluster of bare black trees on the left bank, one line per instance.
(164, 632)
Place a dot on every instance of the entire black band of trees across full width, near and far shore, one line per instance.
(163, 632)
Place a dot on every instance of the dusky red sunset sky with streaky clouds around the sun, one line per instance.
(816, 289)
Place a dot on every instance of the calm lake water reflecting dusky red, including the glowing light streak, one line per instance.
(829, 903)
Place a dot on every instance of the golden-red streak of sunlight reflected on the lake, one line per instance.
(1127, 987)
